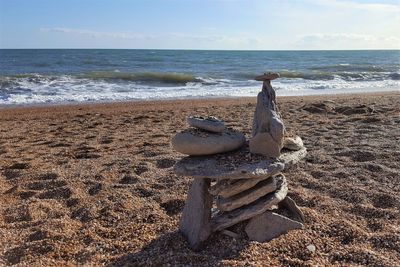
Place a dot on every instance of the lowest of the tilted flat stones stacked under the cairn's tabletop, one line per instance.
(226, 219)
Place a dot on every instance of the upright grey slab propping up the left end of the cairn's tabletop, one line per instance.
(195, 220)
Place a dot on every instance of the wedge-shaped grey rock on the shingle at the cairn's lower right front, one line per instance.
(269, 225)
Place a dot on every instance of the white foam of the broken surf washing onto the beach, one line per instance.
(64, 89)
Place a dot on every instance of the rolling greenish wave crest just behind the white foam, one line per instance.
(172, 79)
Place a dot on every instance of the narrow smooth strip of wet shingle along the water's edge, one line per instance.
(174, 101)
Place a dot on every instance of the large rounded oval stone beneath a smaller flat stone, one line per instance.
(197, 143)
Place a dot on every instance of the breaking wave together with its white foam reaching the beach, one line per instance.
(116, 86)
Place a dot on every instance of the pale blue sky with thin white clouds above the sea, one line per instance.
(201, 24)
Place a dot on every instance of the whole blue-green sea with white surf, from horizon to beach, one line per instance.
(40, 76)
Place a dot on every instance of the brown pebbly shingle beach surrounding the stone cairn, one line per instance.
(94, 184)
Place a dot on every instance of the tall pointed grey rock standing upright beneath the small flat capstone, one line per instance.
(268, 129)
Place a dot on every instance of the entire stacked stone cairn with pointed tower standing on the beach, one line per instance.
(236, 181)
